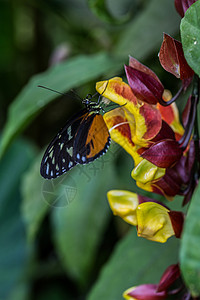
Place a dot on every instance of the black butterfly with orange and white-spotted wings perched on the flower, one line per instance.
(83, 139)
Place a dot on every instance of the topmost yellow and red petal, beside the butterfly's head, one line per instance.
(144, 119)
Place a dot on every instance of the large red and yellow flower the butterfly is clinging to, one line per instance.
(149, 133)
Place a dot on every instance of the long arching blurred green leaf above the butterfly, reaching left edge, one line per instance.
(62, 77)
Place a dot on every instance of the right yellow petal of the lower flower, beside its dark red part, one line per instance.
(154, 222)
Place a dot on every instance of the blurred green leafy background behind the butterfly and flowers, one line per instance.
(58, 240)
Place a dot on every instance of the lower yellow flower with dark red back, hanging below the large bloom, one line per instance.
(154, 220)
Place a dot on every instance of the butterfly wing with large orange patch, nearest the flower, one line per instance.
(92, 139)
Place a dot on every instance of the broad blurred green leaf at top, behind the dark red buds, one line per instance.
(144, 34)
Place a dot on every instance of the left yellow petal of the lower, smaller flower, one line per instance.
(124, 204)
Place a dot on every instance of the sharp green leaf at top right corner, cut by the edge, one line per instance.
(190, 36)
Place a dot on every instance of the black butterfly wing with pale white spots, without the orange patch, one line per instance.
(58, 157)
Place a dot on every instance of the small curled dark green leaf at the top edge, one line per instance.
(100, 9)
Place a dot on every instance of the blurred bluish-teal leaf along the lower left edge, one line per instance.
(14, 252)
